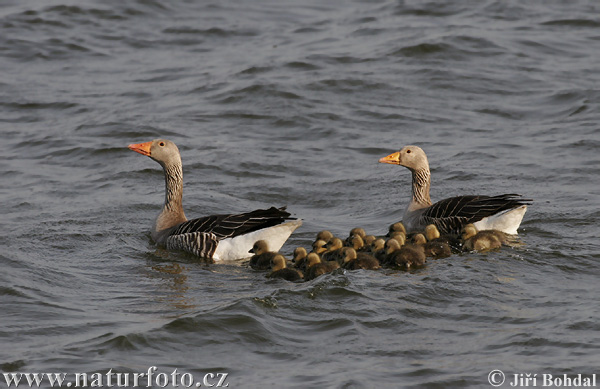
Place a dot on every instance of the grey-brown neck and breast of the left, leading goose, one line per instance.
(172, 213)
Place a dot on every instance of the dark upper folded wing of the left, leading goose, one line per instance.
(229, 226)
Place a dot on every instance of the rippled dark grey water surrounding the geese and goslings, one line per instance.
(293, 103)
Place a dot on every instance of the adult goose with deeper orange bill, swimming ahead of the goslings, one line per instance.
(217, 237)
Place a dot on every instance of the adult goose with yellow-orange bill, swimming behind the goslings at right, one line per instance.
(503, 212)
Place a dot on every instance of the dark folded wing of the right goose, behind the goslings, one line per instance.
(451, 214)
